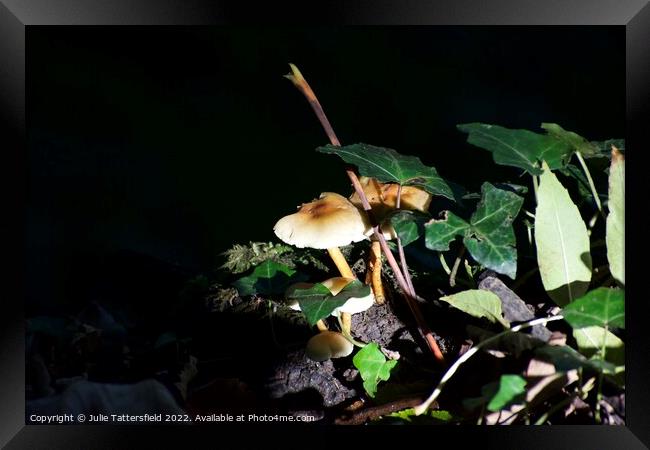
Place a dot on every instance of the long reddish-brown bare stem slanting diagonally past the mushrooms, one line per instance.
(299, 81)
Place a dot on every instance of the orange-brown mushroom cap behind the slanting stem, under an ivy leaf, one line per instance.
(383, 199)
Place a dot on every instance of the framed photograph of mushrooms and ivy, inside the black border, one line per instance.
(334, 225)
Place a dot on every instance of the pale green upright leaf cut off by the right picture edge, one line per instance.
(615, 225)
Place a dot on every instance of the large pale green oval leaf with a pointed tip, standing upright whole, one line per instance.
(563, 250)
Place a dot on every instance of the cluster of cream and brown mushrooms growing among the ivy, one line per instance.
(333, 221)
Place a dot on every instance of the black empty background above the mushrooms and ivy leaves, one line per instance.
(153, 150)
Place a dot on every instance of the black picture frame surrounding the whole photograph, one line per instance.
(17, 15)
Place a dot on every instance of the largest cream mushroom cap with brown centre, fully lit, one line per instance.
(328, 222)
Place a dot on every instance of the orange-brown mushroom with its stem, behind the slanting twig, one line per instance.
(383, 200)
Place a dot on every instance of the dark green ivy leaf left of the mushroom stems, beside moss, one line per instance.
(270, 277)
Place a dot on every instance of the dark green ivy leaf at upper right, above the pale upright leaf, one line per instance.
(518, 148)
